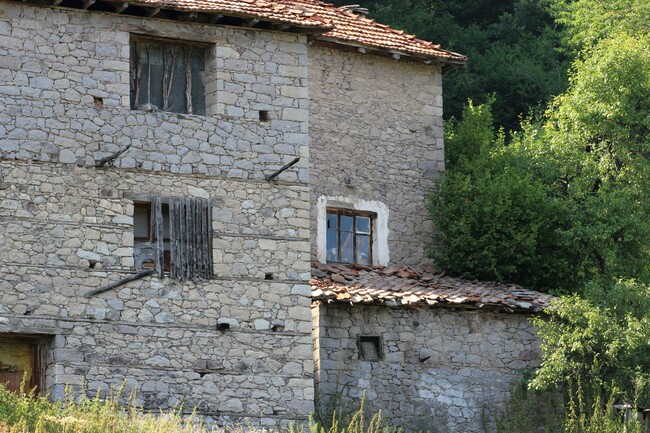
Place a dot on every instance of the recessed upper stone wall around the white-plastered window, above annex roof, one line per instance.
(376, 135)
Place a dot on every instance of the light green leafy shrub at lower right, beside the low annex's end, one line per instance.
(599, 341)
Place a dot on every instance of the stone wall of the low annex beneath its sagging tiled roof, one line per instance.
(440, 367)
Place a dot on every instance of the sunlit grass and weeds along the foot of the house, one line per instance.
(27, 414)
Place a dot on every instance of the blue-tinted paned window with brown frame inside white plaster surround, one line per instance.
(349, 237)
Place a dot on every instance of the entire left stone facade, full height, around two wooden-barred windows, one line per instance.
(66, 227)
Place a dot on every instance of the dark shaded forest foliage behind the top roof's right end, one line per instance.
(512, 46)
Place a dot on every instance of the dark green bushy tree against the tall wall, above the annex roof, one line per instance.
(495, 211)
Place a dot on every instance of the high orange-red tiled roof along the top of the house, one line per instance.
(334, 24)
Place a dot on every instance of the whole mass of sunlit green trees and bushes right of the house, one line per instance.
(562, 206)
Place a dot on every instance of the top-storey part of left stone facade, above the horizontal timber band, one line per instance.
(56, 65)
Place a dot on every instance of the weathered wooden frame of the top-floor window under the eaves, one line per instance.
(134, 71)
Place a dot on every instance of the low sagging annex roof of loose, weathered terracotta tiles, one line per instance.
(408, 287)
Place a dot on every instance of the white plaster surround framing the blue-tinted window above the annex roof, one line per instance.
(380, 252)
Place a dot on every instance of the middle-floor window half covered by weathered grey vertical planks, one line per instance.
(174, 235)
